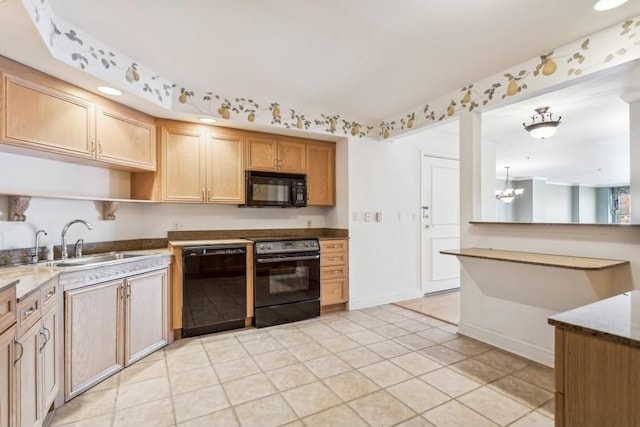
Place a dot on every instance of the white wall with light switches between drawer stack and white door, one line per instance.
(385, 176)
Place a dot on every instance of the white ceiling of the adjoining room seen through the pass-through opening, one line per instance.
(591, 145)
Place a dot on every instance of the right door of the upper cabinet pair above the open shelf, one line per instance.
(122, 140)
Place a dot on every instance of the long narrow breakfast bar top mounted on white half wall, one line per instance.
(549, 260)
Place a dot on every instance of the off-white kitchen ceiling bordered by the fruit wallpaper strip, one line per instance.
(367, 59)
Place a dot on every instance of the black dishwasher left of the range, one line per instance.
(214, 285)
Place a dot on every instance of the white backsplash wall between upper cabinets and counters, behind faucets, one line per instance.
(28, 175)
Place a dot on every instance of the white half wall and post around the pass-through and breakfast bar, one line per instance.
(515, 326)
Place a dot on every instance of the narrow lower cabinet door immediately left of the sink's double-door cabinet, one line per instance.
(49, 353)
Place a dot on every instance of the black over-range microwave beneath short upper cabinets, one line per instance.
(285, 190)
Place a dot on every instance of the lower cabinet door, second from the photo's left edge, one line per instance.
(28, 378)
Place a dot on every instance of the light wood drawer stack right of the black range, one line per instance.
(334, 273)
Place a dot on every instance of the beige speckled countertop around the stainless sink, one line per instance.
(28, 278)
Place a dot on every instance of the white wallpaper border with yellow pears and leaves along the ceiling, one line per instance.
(607, 48)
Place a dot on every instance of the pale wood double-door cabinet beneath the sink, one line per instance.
(110, 325)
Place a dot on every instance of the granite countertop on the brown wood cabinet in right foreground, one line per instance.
(615, 319)
